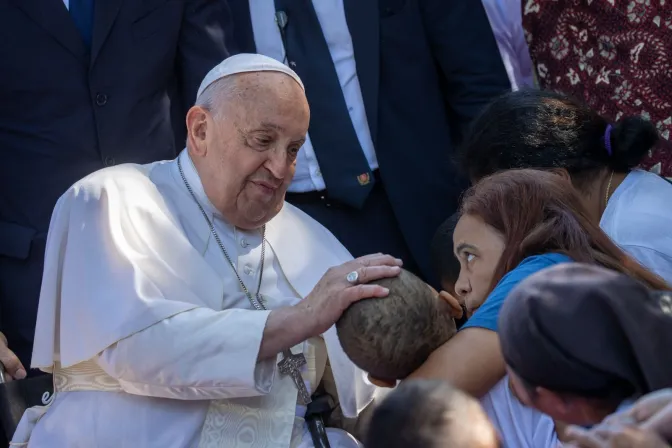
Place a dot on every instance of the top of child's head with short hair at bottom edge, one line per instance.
(429, 414)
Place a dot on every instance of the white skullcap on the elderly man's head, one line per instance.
(245, 63)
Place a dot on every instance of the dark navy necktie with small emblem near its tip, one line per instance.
(344, 167)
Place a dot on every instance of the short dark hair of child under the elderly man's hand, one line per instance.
(391, 337)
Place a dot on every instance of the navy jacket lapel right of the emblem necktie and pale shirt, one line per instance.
(362, 17)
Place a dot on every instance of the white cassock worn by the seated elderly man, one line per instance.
(151, 340)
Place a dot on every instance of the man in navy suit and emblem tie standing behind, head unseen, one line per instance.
(392, 86)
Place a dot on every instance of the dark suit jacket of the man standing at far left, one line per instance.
(66, 112)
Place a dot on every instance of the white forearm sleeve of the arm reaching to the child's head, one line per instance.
(199, 354)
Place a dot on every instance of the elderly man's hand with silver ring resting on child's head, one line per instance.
(333, 294)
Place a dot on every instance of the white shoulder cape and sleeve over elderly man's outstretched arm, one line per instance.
(123, 285)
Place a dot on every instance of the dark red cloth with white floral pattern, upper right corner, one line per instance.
(616, 55)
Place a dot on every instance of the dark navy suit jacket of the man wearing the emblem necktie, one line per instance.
(426, 68)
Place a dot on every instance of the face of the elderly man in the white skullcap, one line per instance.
(250, 148)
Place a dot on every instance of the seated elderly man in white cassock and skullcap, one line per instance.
(184, 304)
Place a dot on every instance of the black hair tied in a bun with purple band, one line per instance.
(544, 129)
